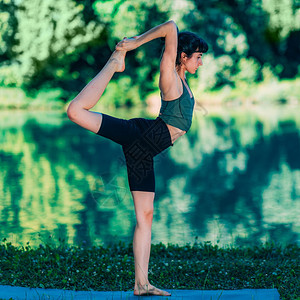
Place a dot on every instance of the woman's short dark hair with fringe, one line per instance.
(189, 42)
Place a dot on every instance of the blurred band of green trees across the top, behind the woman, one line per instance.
(63, 44)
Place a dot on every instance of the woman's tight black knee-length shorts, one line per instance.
(141, 139)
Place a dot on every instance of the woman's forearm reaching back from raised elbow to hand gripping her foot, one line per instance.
(161, 31)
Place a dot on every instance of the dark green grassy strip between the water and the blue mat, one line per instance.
(198, 266)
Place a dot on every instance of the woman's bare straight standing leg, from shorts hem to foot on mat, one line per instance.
(143, 204)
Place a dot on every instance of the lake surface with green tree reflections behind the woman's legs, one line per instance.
(233, 179)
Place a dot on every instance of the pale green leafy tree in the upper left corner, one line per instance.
(46, 31)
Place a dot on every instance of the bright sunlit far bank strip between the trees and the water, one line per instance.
(245, 93)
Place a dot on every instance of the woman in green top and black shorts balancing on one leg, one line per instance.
(142, 139)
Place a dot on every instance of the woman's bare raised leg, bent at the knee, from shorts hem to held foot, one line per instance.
(78, 110)
